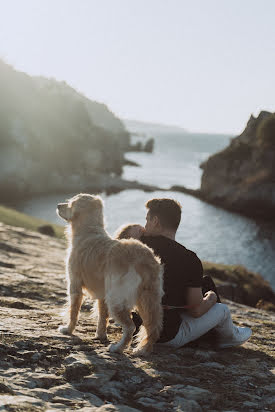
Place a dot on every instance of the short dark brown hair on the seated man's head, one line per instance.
(168, 212)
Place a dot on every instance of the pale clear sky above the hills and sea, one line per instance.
(204, 65)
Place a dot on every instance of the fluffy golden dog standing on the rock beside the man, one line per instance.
(120, 274)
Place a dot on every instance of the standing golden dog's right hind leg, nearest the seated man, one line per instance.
(149, 307)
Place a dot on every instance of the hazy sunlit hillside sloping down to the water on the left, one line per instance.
(52, 138)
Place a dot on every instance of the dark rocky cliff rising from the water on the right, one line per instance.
(242, 176)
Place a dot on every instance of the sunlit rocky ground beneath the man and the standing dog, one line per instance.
(42, 370)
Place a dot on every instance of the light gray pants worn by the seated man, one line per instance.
(217, 317)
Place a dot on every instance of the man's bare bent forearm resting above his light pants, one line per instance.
(197, 304)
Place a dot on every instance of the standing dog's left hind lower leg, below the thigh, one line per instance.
(122, 315)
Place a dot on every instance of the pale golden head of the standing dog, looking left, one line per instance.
(80, 206)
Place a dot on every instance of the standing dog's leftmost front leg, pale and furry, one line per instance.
(75, 301)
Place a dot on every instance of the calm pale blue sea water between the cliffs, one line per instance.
(214, 234)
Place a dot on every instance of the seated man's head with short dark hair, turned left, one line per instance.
(163, 216)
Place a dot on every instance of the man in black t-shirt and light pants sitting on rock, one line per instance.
(187, 313)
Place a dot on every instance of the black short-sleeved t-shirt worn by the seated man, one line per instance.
(182, 269)
